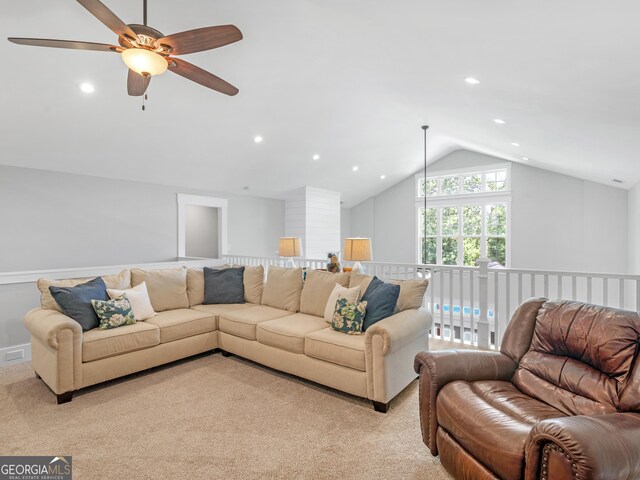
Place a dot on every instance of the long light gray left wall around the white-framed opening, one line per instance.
(59, 220)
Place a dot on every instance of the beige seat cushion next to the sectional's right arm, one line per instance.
(336, 347)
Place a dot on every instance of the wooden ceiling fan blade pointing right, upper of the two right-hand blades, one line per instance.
(201, 39)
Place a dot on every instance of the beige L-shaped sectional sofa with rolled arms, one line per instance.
(281, 325)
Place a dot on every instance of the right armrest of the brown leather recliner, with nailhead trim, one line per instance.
(589, 447)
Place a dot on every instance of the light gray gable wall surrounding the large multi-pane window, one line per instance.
(557, 222)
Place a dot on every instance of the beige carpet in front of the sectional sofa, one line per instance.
(213, 417)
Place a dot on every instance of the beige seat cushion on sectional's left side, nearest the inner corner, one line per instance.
(182, 323)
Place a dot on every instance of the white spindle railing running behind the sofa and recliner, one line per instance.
(474, 305)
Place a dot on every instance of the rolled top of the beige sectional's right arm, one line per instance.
(400, 329)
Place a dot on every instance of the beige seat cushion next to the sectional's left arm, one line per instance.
(98, 344)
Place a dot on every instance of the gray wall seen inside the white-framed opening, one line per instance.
(201, 231)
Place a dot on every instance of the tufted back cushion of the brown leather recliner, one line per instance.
(580, 357)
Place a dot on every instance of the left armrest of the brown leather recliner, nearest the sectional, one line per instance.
(438, 368)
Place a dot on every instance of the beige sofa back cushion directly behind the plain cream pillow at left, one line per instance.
(167, 287)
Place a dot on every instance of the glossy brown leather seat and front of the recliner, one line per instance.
(492, 420)
